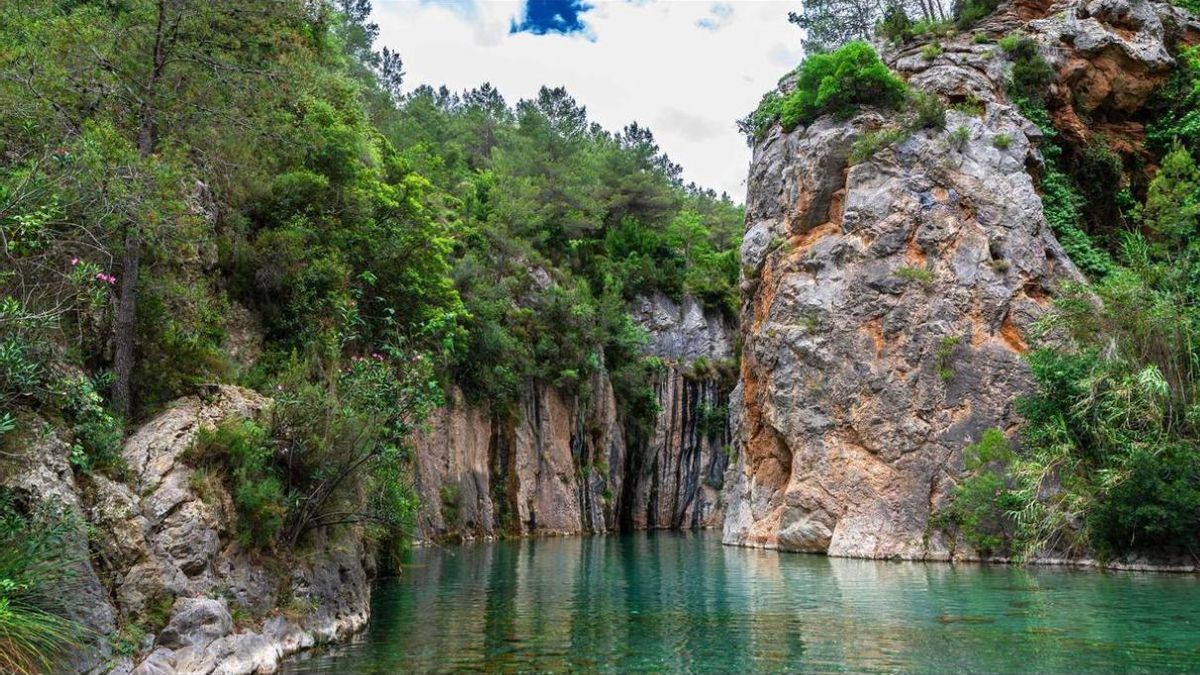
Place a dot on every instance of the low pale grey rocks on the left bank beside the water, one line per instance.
(163, 547)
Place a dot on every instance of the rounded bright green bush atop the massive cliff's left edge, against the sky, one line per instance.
(835, 83)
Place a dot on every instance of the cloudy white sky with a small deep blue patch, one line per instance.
(687, 69)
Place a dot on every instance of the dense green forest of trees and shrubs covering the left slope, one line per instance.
(177, 177)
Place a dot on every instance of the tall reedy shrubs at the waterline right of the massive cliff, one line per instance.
(1109, 447)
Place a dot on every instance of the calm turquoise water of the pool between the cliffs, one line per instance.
(680, 602)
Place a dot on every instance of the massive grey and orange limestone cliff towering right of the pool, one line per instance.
(887, 304)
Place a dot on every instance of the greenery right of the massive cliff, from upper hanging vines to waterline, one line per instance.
(1108, 459)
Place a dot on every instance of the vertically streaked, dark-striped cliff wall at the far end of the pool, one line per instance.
(563, 467)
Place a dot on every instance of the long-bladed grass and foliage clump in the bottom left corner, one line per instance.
(37, 578)
